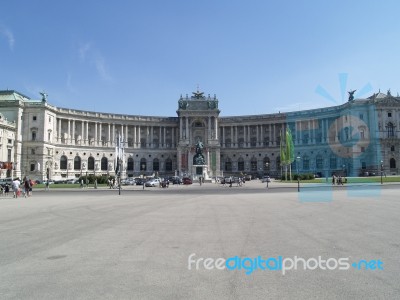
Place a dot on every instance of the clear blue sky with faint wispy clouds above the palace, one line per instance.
(138, 57)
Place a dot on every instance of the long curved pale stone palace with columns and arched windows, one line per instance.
(38, 139)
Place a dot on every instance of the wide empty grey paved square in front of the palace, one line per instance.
(96, 244)
